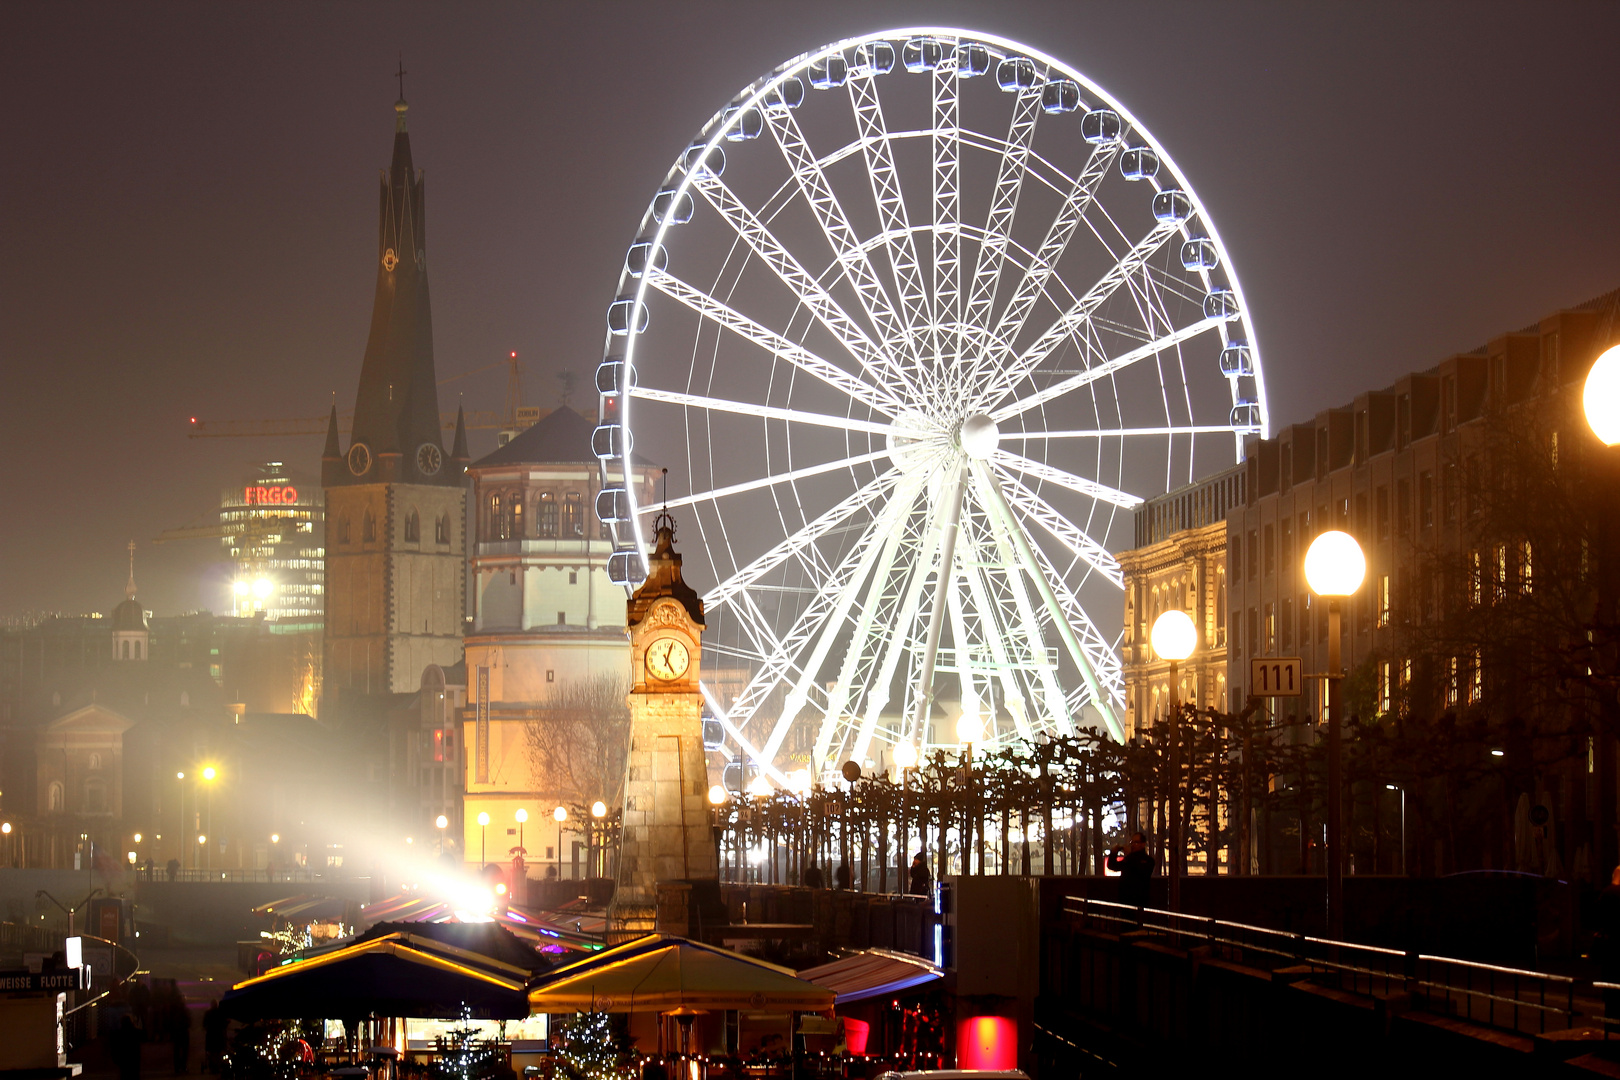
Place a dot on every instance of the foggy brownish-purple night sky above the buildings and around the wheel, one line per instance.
(189, 208)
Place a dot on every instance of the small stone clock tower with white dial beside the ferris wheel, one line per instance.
(667, 822)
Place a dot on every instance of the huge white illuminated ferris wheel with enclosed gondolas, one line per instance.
(918, 320)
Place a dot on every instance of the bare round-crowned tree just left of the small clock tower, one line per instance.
(579, 741)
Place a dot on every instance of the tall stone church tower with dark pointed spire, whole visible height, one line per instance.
(394, 500)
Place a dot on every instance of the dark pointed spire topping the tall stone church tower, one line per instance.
(396, 436)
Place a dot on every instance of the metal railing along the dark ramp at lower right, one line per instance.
(1512, 1000)
